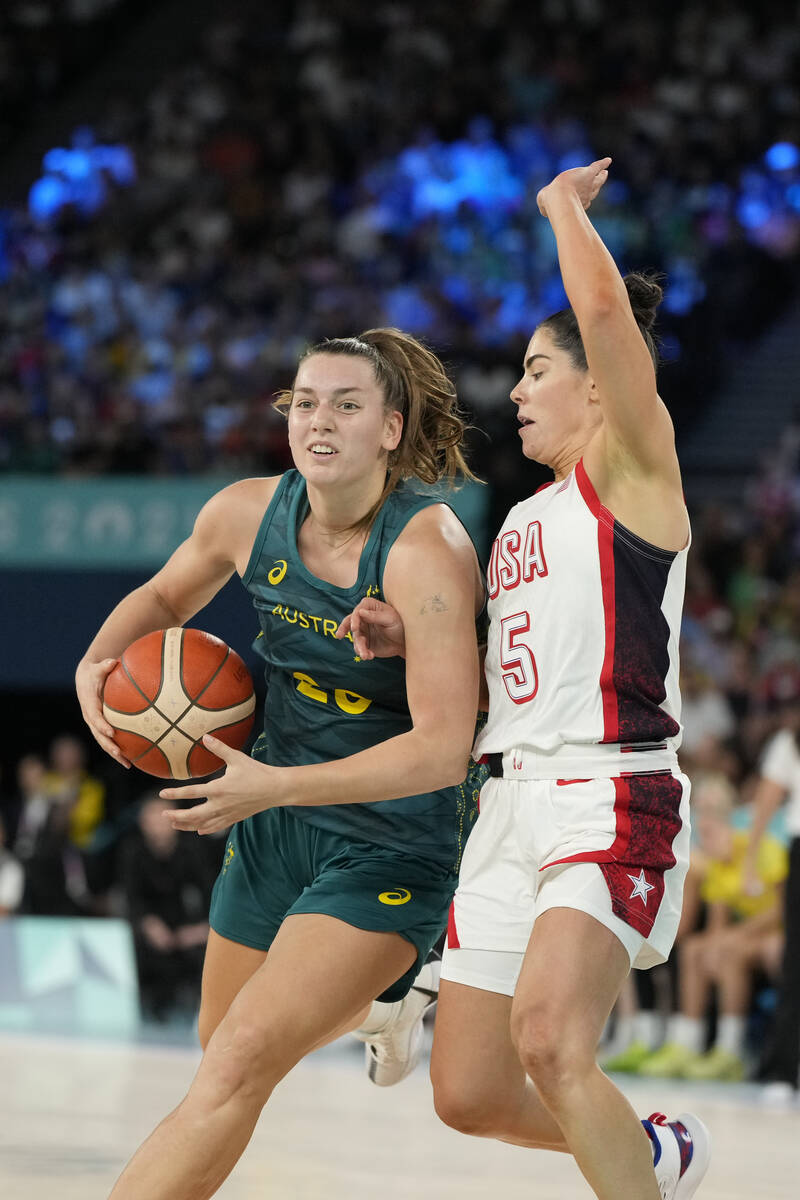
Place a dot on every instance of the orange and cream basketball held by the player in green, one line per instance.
(169, 689)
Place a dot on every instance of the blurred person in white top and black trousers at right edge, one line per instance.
(780, 782)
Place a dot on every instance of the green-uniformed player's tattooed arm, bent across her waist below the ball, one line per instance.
(434, 581)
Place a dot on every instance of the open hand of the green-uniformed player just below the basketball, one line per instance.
(239, 794)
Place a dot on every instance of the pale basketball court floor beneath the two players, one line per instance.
(71, 1113)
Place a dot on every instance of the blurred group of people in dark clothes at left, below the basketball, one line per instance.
(73, 845)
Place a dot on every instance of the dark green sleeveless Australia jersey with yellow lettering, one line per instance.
(323, 703)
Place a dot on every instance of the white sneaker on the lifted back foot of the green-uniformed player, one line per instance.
(394, 1052)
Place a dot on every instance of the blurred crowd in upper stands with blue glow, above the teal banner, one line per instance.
(345, 165)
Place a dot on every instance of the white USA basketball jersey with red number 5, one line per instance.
(582, 659)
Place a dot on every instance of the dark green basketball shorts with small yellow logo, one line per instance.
(276, 866)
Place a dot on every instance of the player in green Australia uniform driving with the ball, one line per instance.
(351, 818)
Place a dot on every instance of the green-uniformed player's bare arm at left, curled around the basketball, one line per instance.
(219, 544)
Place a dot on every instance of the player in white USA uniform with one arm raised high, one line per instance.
(575, 871)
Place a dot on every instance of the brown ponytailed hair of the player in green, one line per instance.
(416, 385)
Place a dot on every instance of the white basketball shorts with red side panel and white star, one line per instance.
(615, 849)
